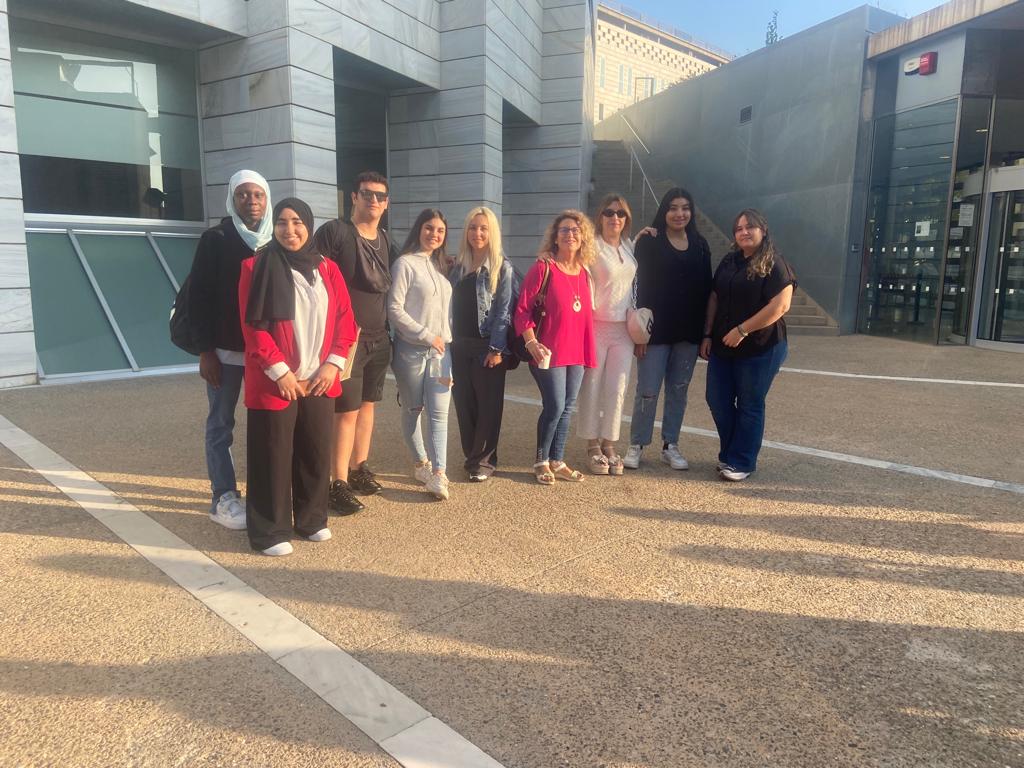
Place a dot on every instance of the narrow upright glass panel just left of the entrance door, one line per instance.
(965, 221)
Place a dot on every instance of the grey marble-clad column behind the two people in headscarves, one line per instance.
(268, 105)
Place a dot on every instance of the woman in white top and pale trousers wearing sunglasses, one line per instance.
(605, 387)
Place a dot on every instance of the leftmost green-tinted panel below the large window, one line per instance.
(72, 332)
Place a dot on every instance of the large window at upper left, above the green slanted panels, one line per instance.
(106, 126)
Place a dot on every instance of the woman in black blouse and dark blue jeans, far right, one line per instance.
(745, 342)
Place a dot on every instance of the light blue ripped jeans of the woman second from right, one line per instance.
(672, 364)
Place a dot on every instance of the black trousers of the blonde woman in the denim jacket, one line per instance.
(480, 399)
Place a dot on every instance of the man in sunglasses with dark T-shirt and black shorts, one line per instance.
(364, 252)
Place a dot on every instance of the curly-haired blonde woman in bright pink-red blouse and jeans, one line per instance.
(560, 336)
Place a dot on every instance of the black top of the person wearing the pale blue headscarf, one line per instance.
(214, 295)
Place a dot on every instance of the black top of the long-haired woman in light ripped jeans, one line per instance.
(675, 286)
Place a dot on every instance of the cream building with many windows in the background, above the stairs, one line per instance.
(638, 58)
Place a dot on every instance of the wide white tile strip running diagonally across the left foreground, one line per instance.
(397, 723)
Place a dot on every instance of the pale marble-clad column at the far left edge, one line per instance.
(18, 344)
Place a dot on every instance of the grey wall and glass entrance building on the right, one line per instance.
(886, 153)
